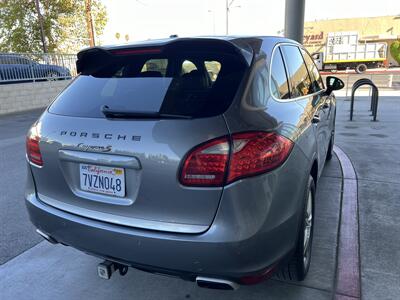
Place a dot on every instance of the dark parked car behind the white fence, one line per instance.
(15, 67)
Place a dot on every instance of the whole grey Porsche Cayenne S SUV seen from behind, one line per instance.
(170, 171)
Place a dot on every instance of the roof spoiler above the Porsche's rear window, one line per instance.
(88, 59)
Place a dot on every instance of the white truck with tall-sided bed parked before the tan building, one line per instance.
(344, 51)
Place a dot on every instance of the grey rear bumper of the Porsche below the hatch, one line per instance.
(181, 255)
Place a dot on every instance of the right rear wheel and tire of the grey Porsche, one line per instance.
(297, 267)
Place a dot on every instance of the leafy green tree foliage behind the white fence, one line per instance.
(64, 25)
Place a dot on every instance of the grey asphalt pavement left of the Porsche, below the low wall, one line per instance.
(16, 232)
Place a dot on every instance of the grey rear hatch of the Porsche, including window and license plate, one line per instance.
(113, 142)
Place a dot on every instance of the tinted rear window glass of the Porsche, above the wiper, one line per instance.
(193, 84)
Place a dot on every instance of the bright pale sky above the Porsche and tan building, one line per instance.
(149, 19)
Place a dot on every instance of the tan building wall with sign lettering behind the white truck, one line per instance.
(375, 29)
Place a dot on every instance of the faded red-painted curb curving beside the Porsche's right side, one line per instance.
(348, 256)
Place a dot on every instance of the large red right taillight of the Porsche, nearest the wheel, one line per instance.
(220, 162)
